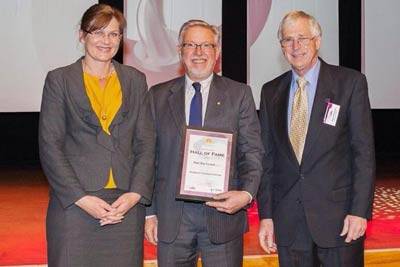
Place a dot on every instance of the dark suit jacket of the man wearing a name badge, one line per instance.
(336, 175)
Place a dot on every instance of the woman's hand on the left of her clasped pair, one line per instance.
(95, 206)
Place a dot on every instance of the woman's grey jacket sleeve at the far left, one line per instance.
(52, 131)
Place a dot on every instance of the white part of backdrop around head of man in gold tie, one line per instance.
(265, 57)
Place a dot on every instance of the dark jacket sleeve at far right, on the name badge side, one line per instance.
(362, 147)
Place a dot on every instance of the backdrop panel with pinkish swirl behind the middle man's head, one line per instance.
(152, 33)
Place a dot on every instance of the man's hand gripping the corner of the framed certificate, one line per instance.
(230, 202)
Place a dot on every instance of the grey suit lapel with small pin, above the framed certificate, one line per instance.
(215, 103)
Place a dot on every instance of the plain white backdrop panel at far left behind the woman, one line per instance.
(36, 36)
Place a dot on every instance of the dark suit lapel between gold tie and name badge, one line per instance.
(323, 93)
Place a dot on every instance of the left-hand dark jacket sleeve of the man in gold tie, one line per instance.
(264, 196)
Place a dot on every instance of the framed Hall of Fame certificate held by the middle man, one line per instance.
(205, 164)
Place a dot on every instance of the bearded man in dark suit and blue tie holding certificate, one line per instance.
(182, 229)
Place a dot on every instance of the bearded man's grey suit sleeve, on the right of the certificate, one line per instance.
(249, 145)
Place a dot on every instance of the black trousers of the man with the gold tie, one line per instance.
(303, 252)
